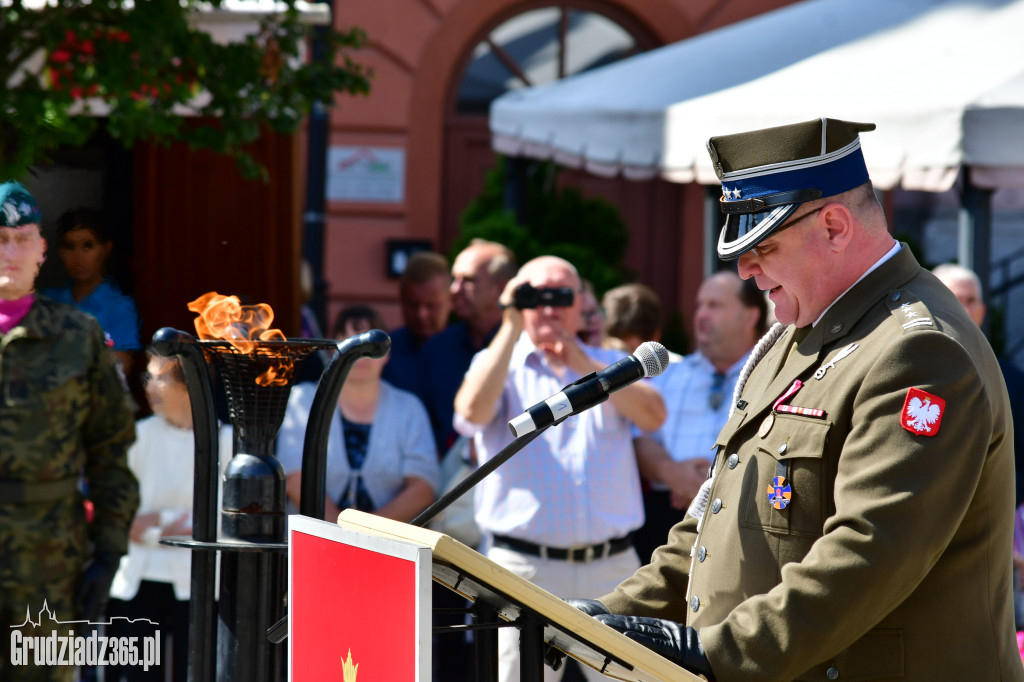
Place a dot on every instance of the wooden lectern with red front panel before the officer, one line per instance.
(407, 558)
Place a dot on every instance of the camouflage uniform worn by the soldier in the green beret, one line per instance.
(65, 413)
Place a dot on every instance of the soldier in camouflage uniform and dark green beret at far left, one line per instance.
(65, 413)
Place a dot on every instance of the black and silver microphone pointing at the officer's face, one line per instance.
(650, 360)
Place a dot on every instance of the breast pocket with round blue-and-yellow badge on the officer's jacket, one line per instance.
(785, 492)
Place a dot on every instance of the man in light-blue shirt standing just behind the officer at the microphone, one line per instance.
(730, 319)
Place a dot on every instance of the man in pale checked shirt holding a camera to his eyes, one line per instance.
(560, 513)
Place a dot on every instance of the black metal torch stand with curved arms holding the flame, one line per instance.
(252, 524)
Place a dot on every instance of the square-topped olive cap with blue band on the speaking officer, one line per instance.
(767, 174)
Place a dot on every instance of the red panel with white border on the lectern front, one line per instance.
(359, 606)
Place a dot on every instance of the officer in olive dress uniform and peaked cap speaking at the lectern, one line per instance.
(857, 523)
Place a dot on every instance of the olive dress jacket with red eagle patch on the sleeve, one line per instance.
(892, 559)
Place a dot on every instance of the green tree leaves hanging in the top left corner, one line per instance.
(146, 66)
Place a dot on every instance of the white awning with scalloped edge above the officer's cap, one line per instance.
(943, 79)
